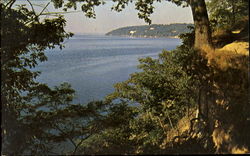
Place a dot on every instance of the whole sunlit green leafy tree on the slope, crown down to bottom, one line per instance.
(163, 95)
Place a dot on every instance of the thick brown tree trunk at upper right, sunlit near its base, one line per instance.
(201, 23)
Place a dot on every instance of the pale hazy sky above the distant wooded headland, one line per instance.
(107, 20)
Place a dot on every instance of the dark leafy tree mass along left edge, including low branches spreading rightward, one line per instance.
(35, 117)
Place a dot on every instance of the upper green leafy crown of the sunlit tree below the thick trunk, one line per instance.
(161, 85)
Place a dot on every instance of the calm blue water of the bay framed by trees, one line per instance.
(93, 63)
